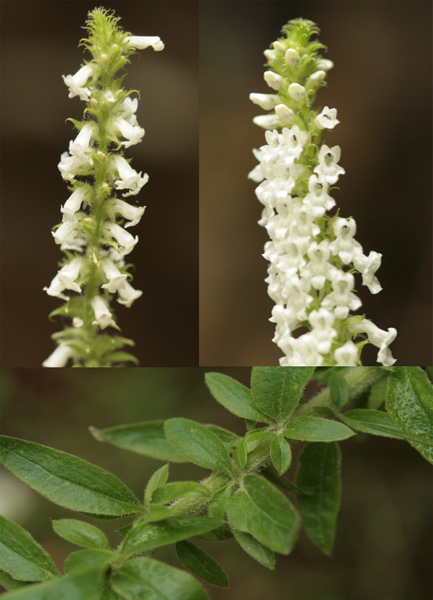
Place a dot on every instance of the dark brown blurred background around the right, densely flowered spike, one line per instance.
(381, 86)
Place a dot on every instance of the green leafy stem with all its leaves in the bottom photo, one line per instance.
(245, 495)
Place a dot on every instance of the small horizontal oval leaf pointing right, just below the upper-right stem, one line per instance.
(316, 429)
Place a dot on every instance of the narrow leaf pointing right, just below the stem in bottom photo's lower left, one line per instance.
(153, 535)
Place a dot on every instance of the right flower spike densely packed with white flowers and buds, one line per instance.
(313, 254)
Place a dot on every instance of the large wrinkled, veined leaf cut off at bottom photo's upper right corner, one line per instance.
(409, 401)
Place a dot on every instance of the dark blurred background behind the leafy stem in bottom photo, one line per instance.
(383, 545)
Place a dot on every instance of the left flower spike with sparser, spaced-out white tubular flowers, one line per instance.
(93, 234)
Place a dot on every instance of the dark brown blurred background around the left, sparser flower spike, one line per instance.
(39, 43)
